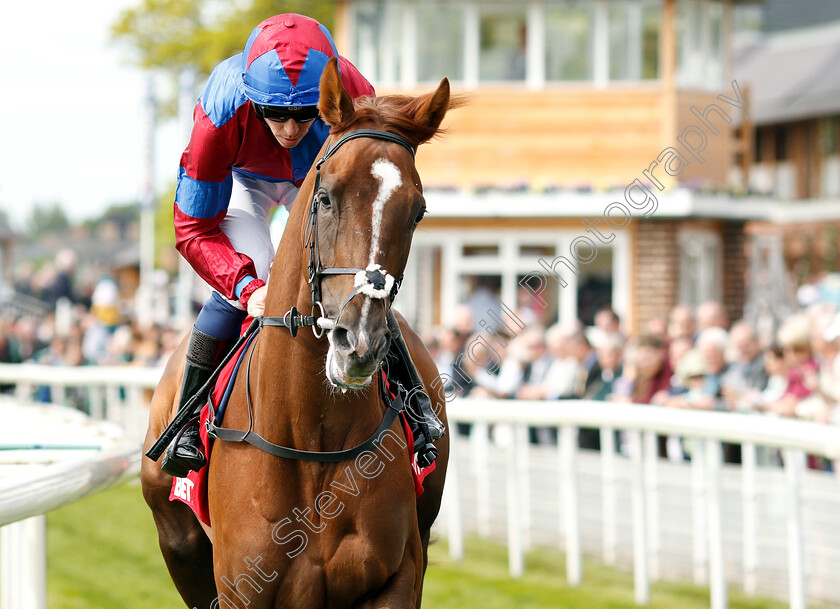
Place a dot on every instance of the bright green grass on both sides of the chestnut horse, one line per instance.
(103, 554)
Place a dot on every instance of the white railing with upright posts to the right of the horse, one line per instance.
(702, 431)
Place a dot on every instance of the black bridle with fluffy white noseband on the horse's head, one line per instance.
(372, 281)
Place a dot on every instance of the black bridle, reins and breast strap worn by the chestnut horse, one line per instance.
(373, 281)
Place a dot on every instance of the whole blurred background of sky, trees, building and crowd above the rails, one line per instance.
(640, 203)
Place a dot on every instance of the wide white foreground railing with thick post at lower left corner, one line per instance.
(49, 456)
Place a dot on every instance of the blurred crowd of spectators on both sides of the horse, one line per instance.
(693, 359)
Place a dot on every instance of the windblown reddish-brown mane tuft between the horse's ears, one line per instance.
(395, 113)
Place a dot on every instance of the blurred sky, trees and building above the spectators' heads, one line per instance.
(570, 102)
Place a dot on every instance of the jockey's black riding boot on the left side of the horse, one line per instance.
(186, 453)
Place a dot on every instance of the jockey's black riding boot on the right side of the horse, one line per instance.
(425, 425)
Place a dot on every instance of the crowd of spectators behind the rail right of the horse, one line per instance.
(693, 359)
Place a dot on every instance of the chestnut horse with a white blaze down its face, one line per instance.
(303, 533)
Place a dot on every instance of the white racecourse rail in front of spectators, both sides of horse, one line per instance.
(725, 524)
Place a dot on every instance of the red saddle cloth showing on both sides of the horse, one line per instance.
(192, 490)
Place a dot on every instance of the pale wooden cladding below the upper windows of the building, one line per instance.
(598, 138)
